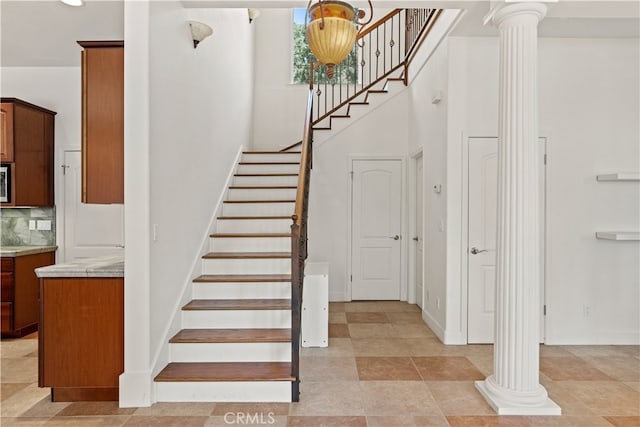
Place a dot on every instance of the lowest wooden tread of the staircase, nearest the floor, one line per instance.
(225, 371)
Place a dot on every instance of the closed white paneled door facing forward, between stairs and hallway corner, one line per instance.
(376, 229)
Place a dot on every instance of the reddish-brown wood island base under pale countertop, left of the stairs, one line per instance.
(81, 338)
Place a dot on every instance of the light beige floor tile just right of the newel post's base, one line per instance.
(334, 398)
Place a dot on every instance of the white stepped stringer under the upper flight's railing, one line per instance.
(375, 99)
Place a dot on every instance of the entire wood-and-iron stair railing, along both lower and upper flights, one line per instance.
(417, 24)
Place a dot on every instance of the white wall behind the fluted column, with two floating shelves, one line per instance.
(589, 111)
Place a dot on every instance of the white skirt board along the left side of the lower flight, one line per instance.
(162, 355)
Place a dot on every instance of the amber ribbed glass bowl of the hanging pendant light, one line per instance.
(331, 37)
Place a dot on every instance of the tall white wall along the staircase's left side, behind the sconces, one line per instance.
(188, 113)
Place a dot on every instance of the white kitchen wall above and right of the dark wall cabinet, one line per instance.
(57, 89)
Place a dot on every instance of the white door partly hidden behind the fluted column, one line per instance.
(481, 245)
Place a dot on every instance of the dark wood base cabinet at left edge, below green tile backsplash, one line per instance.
(20, 293)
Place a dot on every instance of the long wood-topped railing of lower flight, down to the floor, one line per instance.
(299, 245)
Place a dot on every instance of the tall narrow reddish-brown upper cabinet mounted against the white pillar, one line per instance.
(102, 122)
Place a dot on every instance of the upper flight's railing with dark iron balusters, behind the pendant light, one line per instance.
(387, 46)
